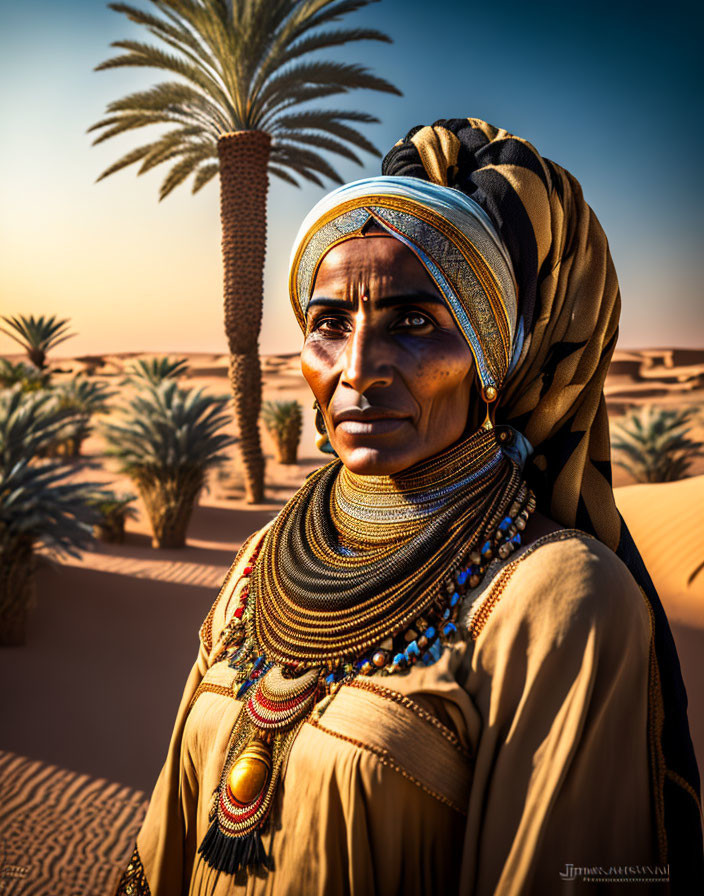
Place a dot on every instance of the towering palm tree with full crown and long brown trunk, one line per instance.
(245, 70)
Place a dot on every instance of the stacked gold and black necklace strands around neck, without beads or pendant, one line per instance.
(356, 558)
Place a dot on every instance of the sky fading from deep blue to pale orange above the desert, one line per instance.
(608, 90)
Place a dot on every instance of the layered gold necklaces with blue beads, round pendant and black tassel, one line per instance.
(358, 575)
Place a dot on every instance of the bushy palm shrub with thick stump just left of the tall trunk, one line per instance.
(167, 441)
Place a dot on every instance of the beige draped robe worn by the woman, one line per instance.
(522, 751)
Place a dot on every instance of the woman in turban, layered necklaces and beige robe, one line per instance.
(442, 668)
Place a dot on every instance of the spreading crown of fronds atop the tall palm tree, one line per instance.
(242, 65)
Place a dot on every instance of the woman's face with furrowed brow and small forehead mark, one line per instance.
(386, 361)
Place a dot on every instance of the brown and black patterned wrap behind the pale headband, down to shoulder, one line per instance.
(568, 307)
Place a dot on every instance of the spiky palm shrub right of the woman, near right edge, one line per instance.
(653, 444)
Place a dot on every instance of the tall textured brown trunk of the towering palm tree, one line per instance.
(244, 181)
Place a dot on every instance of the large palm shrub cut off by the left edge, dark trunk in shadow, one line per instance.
(38, 504)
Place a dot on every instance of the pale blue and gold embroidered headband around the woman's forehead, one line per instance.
(450, 234)
